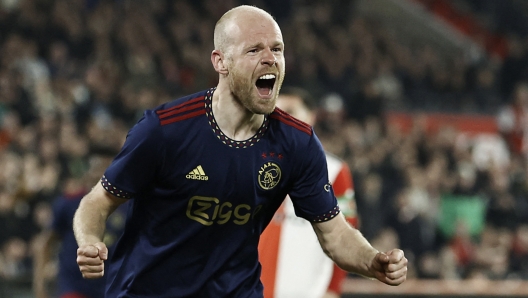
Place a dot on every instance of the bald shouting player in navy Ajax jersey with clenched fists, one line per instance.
(205, 174)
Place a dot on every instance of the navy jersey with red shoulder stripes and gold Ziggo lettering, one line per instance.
(200, 200)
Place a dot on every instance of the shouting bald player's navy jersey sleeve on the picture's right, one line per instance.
(312, 194)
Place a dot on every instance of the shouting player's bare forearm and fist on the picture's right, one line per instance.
(348, 248)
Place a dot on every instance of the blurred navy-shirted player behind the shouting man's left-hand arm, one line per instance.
(68, 280)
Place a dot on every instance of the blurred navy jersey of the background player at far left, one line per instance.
(69, 279)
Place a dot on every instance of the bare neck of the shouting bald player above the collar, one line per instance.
(234, 119)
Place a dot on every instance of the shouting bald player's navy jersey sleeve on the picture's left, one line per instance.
(136, 165)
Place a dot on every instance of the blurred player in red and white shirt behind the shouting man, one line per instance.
(293, 263)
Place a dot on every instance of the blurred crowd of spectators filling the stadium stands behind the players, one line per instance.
(75, 75)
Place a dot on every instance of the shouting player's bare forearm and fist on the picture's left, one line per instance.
(89, 226)
